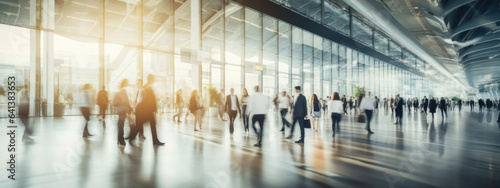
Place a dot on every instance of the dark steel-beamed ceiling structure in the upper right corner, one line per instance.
(464, 35)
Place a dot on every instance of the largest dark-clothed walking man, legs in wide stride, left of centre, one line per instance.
(146, 111)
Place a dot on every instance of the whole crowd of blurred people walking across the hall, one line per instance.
(252, 109)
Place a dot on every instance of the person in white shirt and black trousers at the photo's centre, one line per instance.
(258, 107)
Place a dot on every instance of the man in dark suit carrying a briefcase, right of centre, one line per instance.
(299, 113)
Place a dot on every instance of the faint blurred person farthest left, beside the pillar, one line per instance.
(24, 111)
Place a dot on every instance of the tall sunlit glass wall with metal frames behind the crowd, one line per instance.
(218, 43)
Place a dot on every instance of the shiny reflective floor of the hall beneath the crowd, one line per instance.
(460, 151)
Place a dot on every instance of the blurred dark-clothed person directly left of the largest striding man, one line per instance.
(122, 106)
